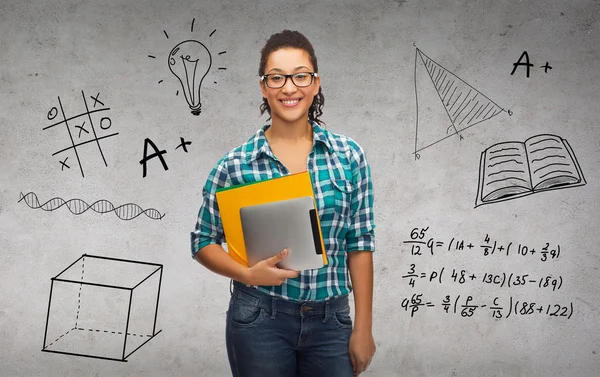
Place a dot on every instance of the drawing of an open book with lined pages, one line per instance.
(513, 169)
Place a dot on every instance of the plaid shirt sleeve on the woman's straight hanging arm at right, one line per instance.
(361, 233)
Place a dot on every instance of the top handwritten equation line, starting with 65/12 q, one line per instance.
(420, 244)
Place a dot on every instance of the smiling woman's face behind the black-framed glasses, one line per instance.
(289, 103)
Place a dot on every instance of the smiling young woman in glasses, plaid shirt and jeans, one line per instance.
(284, 323)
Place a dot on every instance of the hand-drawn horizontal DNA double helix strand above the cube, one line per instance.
(127, 211)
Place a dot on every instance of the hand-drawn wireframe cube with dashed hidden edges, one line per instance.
(104, 308)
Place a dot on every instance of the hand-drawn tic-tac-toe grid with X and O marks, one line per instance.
(80, 126)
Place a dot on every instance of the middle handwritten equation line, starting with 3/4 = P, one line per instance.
(501, 279)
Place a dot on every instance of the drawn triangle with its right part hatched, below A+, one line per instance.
(463, 105)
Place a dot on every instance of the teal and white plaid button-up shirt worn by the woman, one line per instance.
(344, 195)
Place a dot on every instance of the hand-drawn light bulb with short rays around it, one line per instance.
(190, 61)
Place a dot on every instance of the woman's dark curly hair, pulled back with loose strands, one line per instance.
(292, 39)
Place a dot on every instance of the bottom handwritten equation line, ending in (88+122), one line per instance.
(497, 309)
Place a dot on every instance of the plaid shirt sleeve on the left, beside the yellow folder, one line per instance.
(209, 228)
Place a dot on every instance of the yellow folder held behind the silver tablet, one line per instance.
(231, 199)
